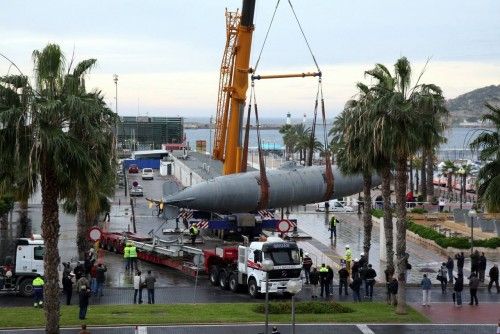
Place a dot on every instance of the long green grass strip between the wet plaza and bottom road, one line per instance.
(314, 312)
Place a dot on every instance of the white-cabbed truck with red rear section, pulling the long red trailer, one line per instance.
(238, 268)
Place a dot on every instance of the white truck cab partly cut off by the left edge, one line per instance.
(17, 274)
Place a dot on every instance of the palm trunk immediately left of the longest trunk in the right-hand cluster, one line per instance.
(386, 194)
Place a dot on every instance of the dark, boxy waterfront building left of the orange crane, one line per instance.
(147, 133)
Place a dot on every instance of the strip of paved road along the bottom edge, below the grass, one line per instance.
(284, 329)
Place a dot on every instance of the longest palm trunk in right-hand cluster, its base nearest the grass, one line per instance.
(401, 179)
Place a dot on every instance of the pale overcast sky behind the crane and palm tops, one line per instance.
(167, 53)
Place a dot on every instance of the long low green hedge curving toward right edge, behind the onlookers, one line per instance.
(455, 242)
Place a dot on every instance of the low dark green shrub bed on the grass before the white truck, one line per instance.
(304, 308)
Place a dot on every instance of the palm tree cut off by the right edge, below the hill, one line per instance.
(488, 142)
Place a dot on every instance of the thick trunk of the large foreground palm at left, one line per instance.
(50, 233)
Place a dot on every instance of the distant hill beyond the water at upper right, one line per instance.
(470, 106)
